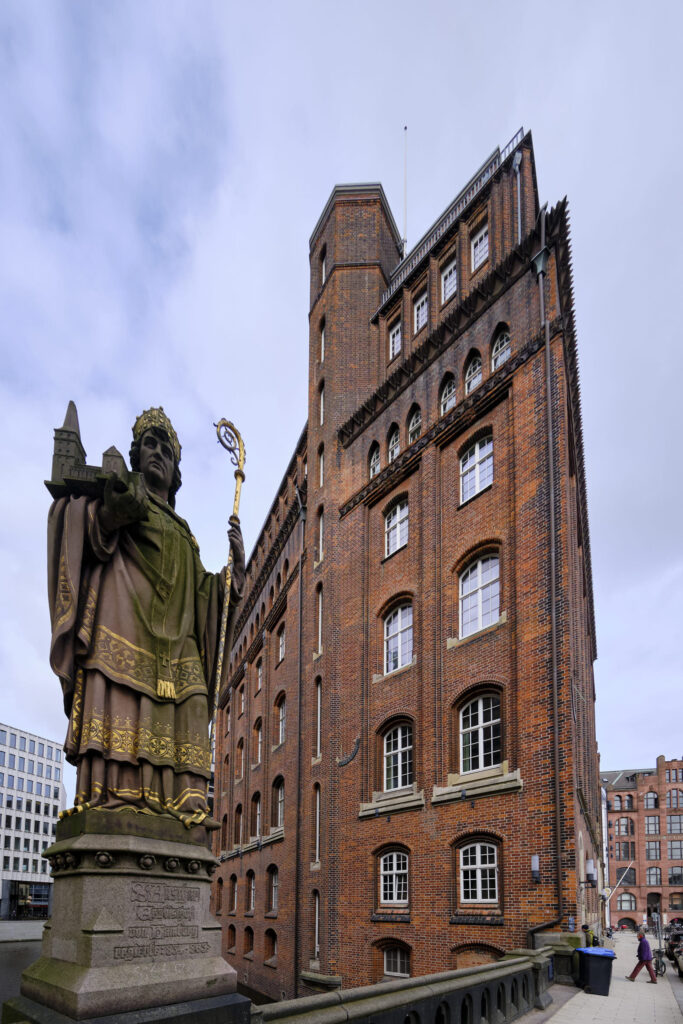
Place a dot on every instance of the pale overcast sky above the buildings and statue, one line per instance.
(162, 167)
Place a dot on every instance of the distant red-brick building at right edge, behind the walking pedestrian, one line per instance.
(646, 843)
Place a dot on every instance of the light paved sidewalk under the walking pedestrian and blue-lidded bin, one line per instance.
(628, 1003)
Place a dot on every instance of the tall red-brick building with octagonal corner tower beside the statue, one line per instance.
(406, 764)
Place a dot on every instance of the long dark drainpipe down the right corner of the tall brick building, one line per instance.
(540, 263)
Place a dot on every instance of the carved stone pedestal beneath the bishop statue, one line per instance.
(131, 925)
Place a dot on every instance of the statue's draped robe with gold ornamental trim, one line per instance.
(136, 627)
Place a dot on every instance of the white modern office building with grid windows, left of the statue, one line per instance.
(32, 795)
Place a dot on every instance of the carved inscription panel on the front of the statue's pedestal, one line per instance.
(158, 912)
